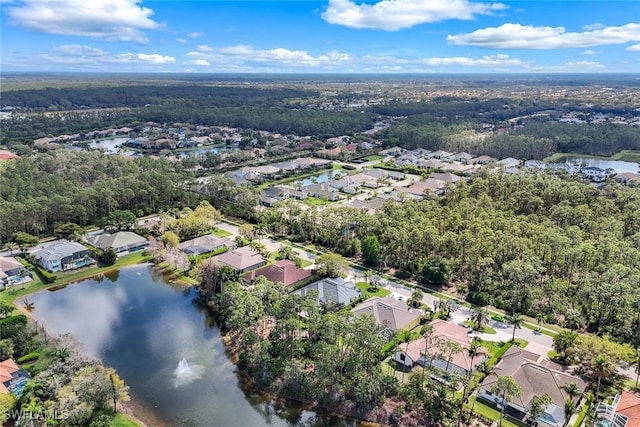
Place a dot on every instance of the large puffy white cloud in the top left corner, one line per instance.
(115, 20)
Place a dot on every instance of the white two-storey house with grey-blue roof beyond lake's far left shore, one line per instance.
(63, 255)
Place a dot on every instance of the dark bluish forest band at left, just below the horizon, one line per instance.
(80, 110)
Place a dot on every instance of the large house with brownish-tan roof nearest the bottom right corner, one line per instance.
(535, 376)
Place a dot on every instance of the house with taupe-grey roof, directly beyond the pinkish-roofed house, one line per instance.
(389, 313)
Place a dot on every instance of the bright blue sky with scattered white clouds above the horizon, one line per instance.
(330, 36)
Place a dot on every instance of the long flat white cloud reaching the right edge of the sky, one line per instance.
(517, 36)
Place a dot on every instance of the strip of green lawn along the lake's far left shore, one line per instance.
(18, 291)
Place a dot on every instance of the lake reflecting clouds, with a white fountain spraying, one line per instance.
(167, 349)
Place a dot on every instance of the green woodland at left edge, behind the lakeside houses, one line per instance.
(38, 193)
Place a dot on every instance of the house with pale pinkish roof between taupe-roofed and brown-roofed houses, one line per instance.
(429, 351)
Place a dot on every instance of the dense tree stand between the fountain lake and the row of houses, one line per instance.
(325, 358)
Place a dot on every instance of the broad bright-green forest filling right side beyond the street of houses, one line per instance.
(536, 245)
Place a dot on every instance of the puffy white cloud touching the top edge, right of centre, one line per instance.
(392, 15)
